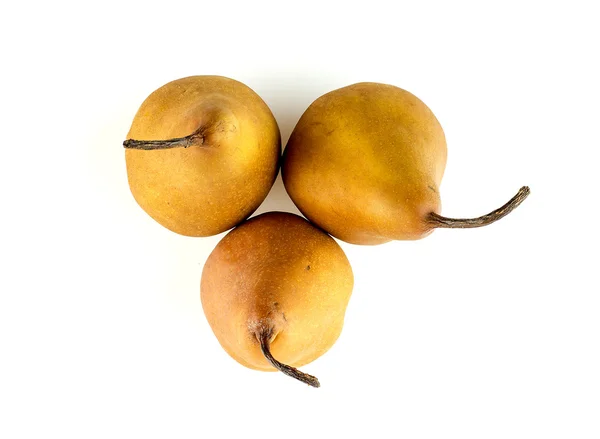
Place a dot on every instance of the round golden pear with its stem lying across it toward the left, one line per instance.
(202, 154)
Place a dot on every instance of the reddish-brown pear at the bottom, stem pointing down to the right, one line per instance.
(274, 291)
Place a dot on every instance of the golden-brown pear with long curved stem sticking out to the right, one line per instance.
(365, 163)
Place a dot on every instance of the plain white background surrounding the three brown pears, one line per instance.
(487, 333)
